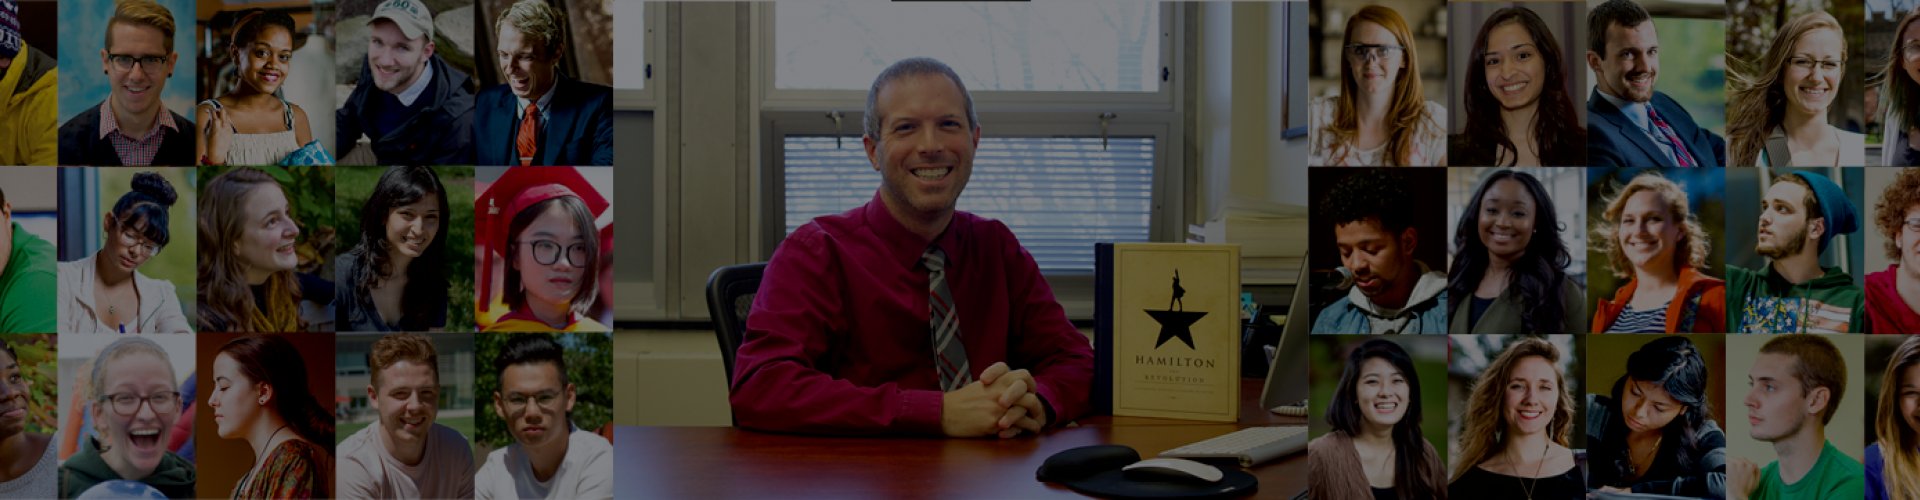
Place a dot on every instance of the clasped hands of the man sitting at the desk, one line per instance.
(1001, 403)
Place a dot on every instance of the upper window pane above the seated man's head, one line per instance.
(844, 45)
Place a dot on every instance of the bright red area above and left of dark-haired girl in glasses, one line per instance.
(516, 191)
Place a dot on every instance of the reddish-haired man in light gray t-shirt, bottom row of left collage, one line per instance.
(406, 455)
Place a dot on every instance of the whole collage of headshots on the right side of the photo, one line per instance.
(1731, 201)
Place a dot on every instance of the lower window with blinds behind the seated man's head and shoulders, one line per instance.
(1059, 195)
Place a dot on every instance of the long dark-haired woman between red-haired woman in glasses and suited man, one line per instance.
(1518, 107)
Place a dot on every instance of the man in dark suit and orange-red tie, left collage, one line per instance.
(540, 116)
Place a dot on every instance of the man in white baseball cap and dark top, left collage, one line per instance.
(418, 111)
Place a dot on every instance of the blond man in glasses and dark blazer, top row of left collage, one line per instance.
(133, 126)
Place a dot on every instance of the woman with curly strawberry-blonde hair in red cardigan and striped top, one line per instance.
(1652, 237)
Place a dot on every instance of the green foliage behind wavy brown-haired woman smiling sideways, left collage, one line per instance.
(310, 195)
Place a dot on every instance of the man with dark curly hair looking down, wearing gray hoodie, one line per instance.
(1393, 291)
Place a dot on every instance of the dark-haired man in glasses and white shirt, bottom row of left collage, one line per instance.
(548, 457)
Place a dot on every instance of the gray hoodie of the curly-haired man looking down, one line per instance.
(1426, 311)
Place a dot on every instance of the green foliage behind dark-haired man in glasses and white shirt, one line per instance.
(588, 368)
